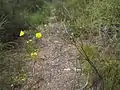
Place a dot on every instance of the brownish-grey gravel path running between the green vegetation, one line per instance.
(55, 68)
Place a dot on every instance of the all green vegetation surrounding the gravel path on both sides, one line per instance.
(93, 26)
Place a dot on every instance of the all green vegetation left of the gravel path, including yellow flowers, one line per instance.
(18, 37)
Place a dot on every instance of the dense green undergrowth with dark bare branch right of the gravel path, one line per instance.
(95, 24)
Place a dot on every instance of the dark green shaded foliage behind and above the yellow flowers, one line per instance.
(16, 15)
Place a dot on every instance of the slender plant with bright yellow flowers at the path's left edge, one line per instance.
(30, 43)
